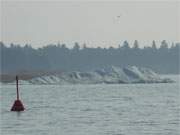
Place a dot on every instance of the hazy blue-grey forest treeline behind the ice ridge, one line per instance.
(57, 57)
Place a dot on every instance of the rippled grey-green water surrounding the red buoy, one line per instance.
(126, 109)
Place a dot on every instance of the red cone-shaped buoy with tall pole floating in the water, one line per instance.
(17, 106)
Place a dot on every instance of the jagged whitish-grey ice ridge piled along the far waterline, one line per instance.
(111, 75)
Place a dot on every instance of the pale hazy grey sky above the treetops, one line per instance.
(94, 23)
